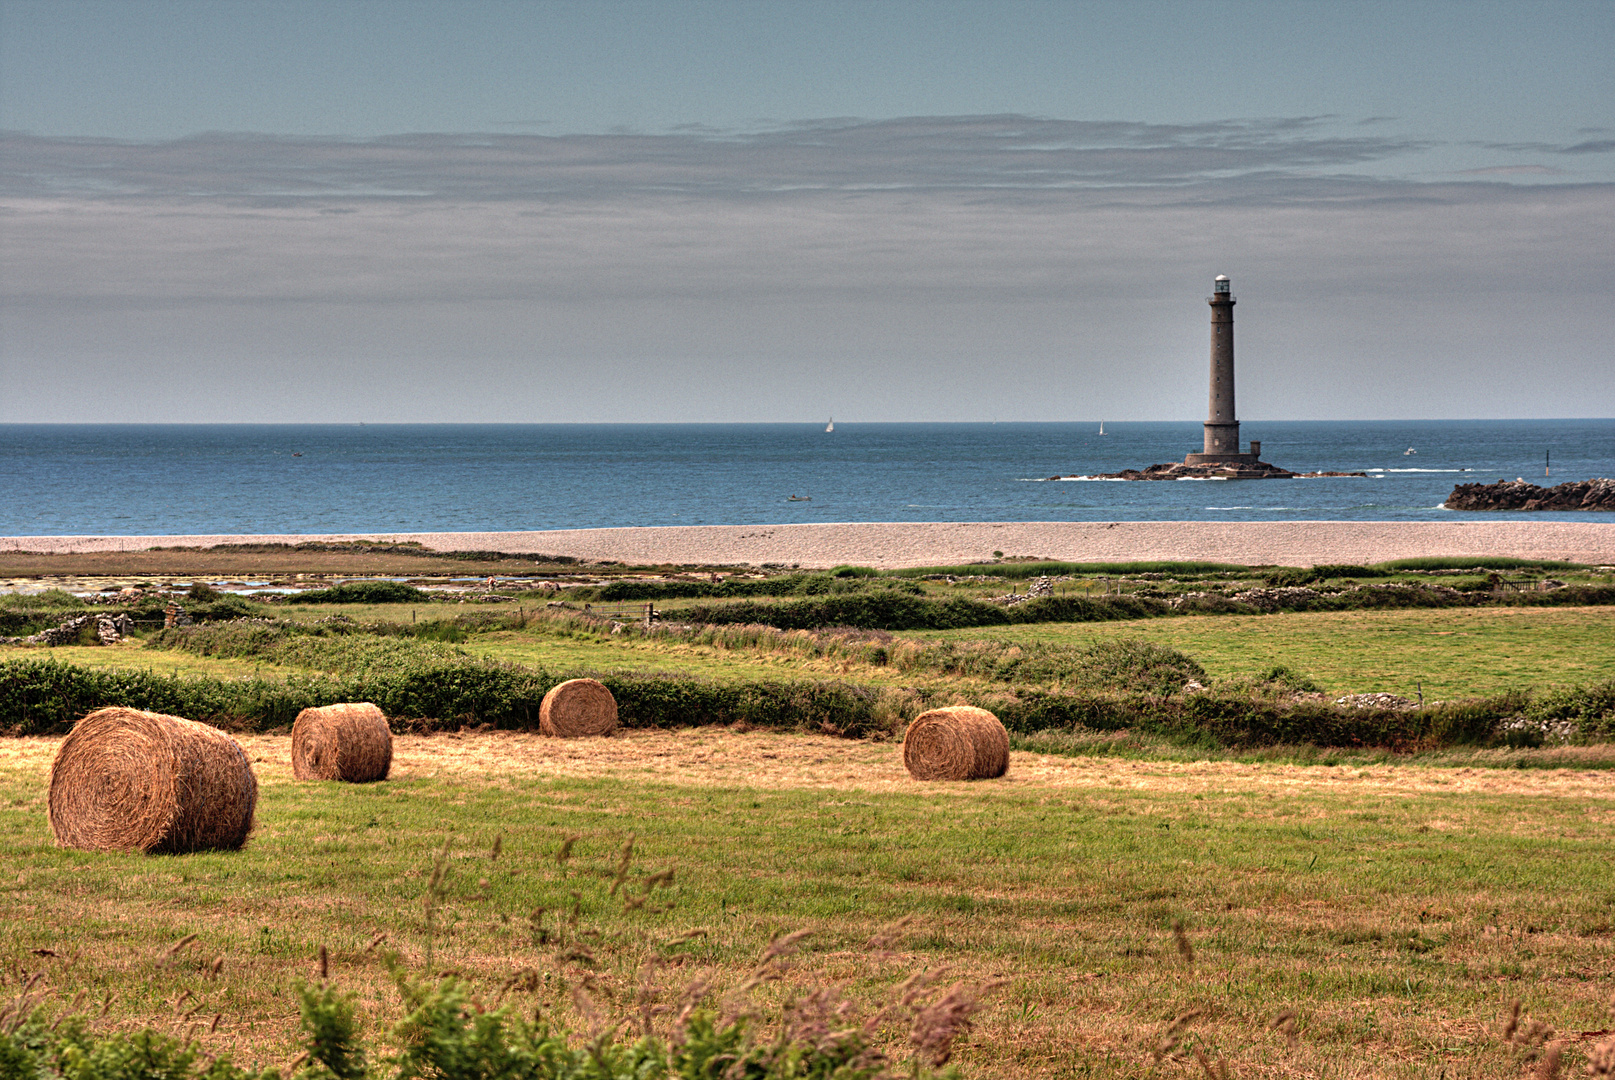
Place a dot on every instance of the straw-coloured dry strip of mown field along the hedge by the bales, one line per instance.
(766, 760)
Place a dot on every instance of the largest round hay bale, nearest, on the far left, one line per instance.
(130, 781)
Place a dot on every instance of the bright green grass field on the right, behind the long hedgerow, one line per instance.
(1454, 653)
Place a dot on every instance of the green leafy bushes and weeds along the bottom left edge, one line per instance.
(450, 1034)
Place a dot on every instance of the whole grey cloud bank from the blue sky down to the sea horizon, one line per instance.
(711, 275)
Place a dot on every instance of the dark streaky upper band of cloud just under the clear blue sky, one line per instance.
(962, 154)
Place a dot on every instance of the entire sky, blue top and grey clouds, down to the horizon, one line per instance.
(781, 212)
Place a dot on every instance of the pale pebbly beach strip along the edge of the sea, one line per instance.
(941, 543)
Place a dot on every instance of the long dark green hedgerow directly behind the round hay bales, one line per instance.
(48, 697)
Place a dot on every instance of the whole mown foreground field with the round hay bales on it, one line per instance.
(1396, 911)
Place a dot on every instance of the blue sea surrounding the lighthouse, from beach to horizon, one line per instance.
(395, 479)
